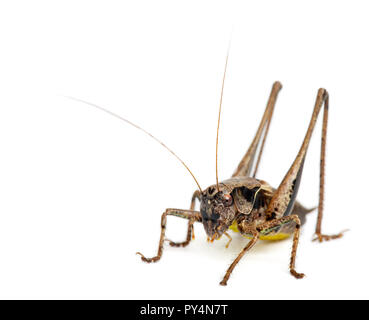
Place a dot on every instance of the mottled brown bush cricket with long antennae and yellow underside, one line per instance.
(246, 204)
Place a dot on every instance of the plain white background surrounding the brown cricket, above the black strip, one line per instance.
(81, 192)
